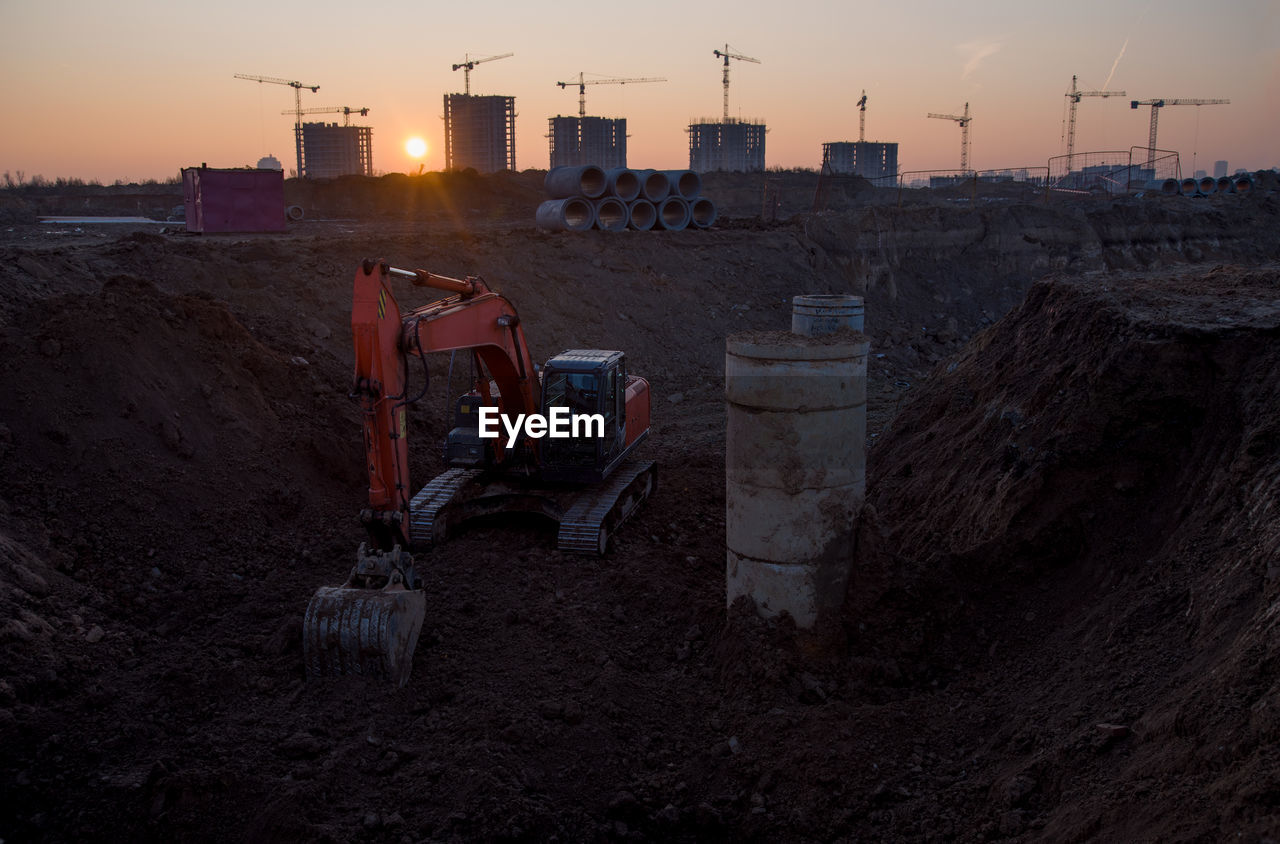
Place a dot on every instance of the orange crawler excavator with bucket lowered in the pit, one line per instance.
(557, 441)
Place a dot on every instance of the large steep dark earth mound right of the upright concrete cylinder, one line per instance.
(1082, 505)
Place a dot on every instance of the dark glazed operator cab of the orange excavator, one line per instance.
(593, 386)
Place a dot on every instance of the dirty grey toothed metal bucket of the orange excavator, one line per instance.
(369, 626)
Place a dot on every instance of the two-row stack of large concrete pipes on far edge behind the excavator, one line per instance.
(666, 200)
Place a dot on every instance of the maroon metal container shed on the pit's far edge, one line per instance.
(227, 200)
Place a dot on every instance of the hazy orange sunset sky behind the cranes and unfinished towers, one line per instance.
(139, 90)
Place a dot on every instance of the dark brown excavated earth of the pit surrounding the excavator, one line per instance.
(1071, 526)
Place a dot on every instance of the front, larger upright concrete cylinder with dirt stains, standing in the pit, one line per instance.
(796, 473)
